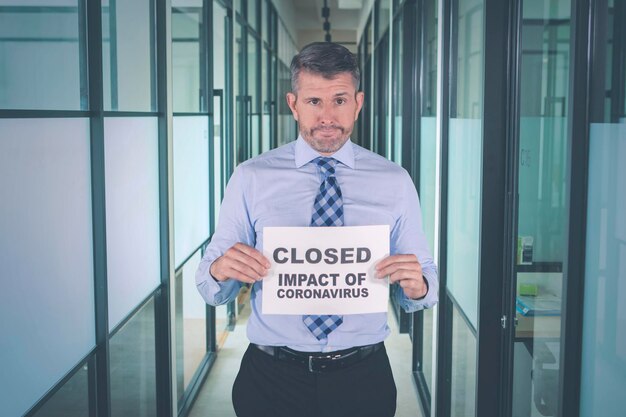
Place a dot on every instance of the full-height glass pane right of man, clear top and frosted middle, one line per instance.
(464, 197)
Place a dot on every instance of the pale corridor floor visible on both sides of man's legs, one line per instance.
(214, 399)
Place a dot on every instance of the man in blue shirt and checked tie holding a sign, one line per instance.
(293, 367)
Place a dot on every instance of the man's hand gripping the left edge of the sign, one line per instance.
(242, 263)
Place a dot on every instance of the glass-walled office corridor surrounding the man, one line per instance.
(121, 122)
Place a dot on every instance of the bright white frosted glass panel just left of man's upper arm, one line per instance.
(191, 185)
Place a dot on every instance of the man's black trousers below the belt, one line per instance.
(268, 387)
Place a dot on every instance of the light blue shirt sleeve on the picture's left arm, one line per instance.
(233, 226)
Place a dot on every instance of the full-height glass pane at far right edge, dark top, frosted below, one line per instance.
(604, 327)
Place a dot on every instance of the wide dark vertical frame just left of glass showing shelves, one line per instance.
(496, 202)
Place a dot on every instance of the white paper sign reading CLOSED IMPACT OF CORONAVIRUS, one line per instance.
(325, 270)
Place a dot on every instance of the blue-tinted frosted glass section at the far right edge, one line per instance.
(604, 328)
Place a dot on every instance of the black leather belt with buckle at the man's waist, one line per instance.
(319, 362)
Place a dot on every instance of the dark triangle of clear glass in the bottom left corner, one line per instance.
(72, 399)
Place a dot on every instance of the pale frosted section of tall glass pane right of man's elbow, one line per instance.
(464, 195)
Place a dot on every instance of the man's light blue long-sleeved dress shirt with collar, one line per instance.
(278, 188)
